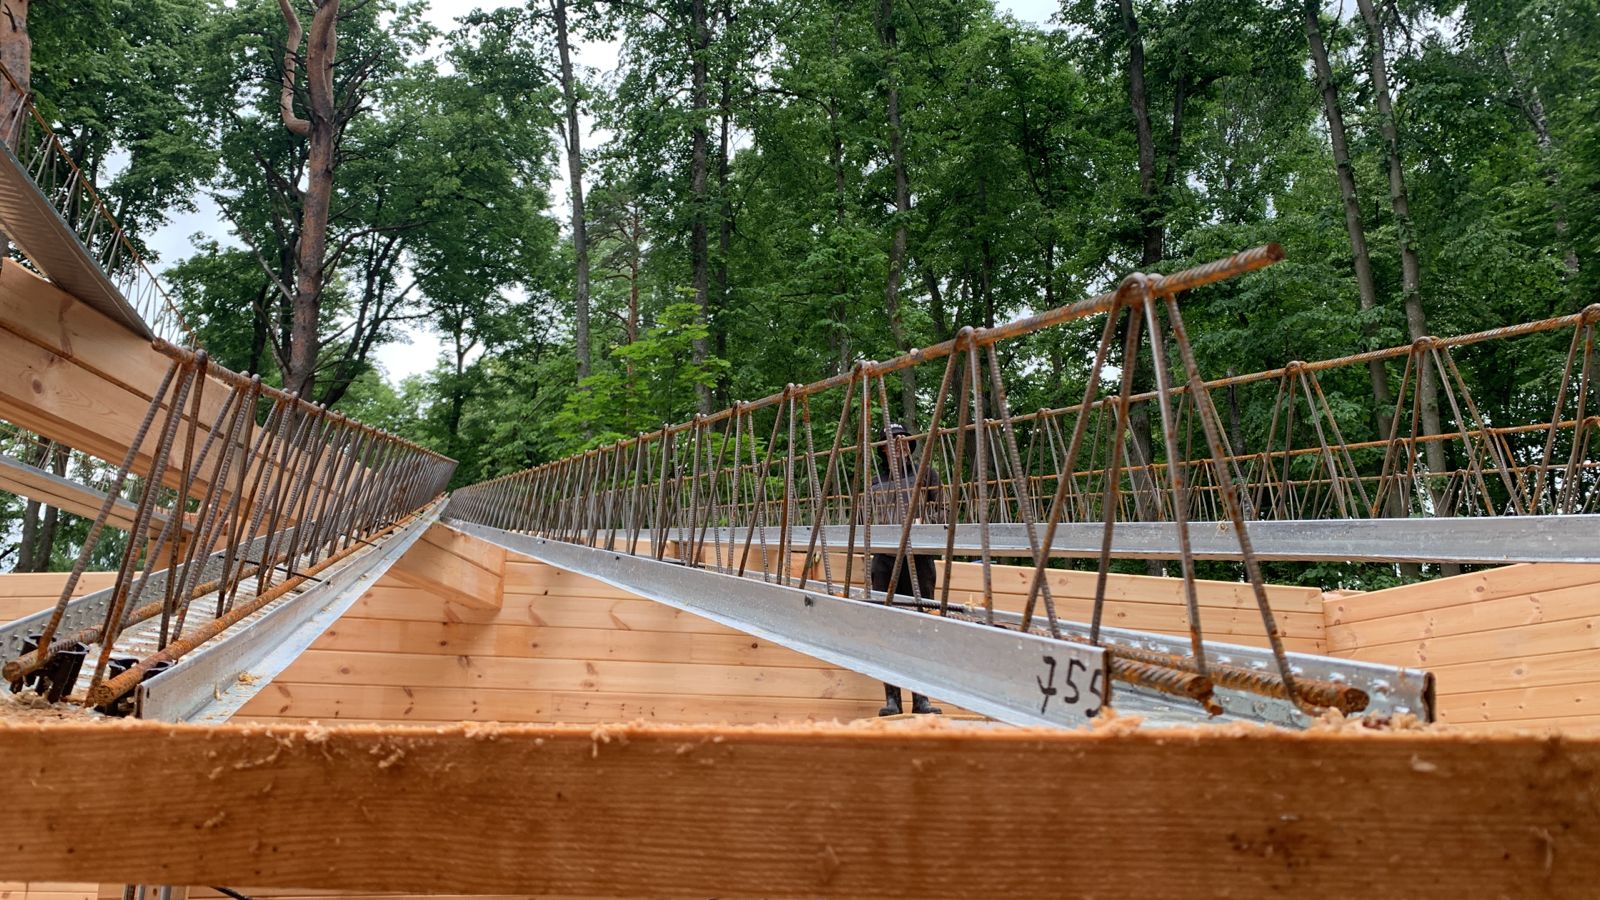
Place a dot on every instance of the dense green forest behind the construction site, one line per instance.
(788, 187)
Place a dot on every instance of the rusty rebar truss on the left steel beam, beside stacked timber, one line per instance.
(270, 508)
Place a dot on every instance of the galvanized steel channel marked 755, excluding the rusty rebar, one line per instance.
(961, 661)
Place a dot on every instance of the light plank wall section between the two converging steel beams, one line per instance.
(554, 648)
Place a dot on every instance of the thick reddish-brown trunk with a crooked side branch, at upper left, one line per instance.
(321, 129)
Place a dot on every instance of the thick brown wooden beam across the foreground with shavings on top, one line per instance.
(841, 811)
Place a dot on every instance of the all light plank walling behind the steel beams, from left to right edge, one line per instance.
(1516, 646)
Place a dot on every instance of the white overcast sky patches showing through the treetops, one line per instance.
(418, 355)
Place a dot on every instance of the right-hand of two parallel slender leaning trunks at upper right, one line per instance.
(1410, 268)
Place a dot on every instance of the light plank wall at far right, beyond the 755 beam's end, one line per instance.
(1514, 646)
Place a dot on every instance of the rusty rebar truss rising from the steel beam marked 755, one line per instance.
(724, 496)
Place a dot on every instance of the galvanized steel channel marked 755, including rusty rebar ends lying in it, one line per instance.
(1014, 675)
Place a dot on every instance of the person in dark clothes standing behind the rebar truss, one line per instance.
(892, 500)
